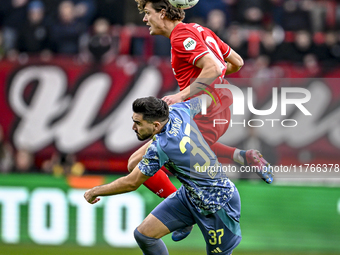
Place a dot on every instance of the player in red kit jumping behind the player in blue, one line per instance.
(199, 60)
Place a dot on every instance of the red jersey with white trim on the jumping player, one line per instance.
(190, 42)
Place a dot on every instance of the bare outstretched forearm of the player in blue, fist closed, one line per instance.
(124, 184)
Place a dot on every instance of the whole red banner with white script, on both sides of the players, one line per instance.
(85, 110)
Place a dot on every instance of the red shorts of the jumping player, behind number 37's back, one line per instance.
(216, 111)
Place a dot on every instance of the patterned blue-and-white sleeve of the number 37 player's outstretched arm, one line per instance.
(150, 163)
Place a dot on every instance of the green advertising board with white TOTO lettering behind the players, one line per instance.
(46, 210)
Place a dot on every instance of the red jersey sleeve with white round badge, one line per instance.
(188, 46)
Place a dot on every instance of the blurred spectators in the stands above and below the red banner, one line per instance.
(266, 33)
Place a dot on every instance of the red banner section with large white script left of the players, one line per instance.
(78, 109)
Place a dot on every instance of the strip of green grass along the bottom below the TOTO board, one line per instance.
(75, 250)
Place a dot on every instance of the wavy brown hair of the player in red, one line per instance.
(171, 12)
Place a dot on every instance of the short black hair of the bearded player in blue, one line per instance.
(152, 108)
